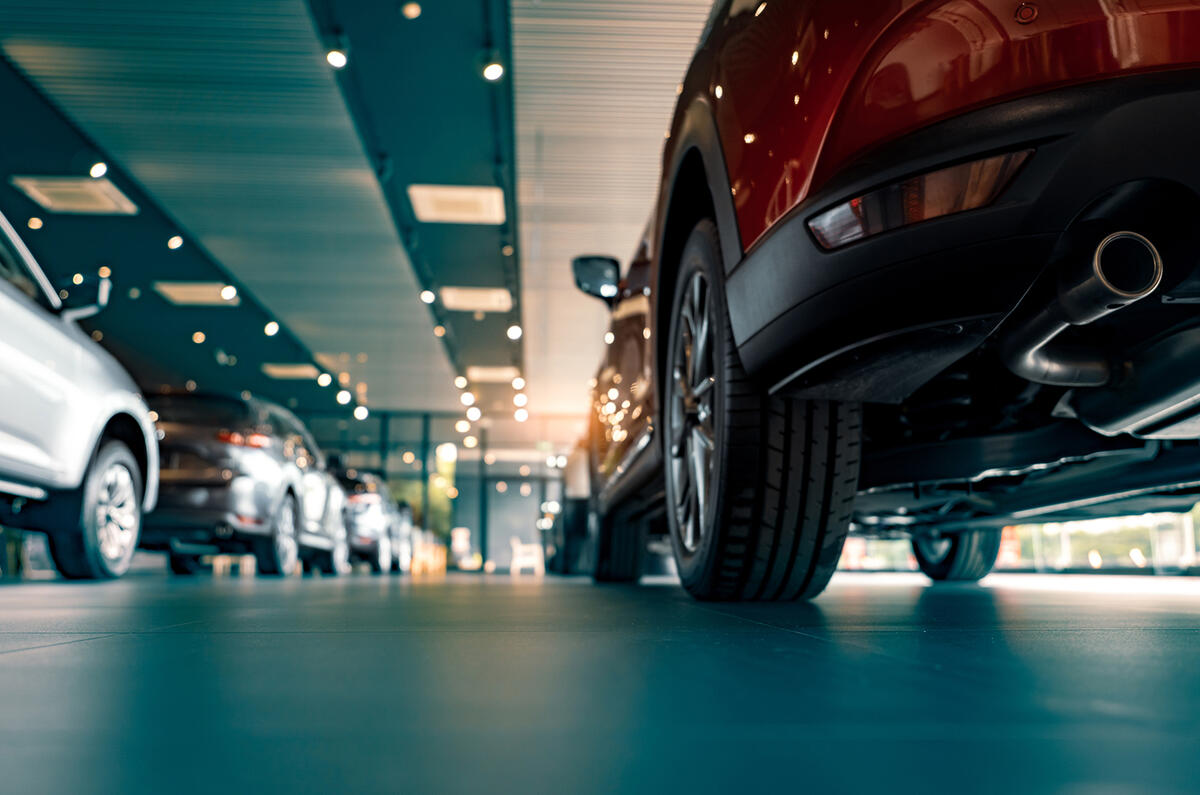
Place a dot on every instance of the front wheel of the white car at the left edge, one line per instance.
(94, 548)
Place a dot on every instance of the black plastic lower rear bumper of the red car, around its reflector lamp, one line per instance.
(813, 321)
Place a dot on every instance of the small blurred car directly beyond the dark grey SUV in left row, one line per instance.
(380, 530)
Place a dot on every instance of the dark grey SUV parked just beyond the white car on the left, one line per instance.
(243, 475)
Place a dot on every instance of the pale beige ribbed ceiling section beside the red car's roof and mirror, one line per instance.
(596, 87)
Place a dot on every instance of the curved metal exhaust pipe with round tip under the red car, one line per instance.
(1125, 268)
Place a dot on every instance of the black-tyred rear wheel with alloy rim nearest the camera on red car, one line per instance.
(779, 474)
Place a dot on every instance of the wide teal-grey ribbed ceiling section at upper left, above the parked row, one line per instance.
(229, 116)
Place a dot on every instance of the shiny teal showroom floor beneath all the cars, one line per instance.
(358, 685)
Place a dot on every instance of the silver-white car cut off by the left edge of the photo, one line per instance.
(79, 456)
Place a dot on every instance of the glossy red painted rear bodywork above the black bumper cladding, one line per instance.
(801, 89)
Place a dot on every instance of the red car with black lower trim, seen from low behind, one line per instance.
(917, 270)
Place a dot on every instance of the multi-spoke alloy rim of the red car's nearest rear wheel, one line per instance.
(691, 431)
